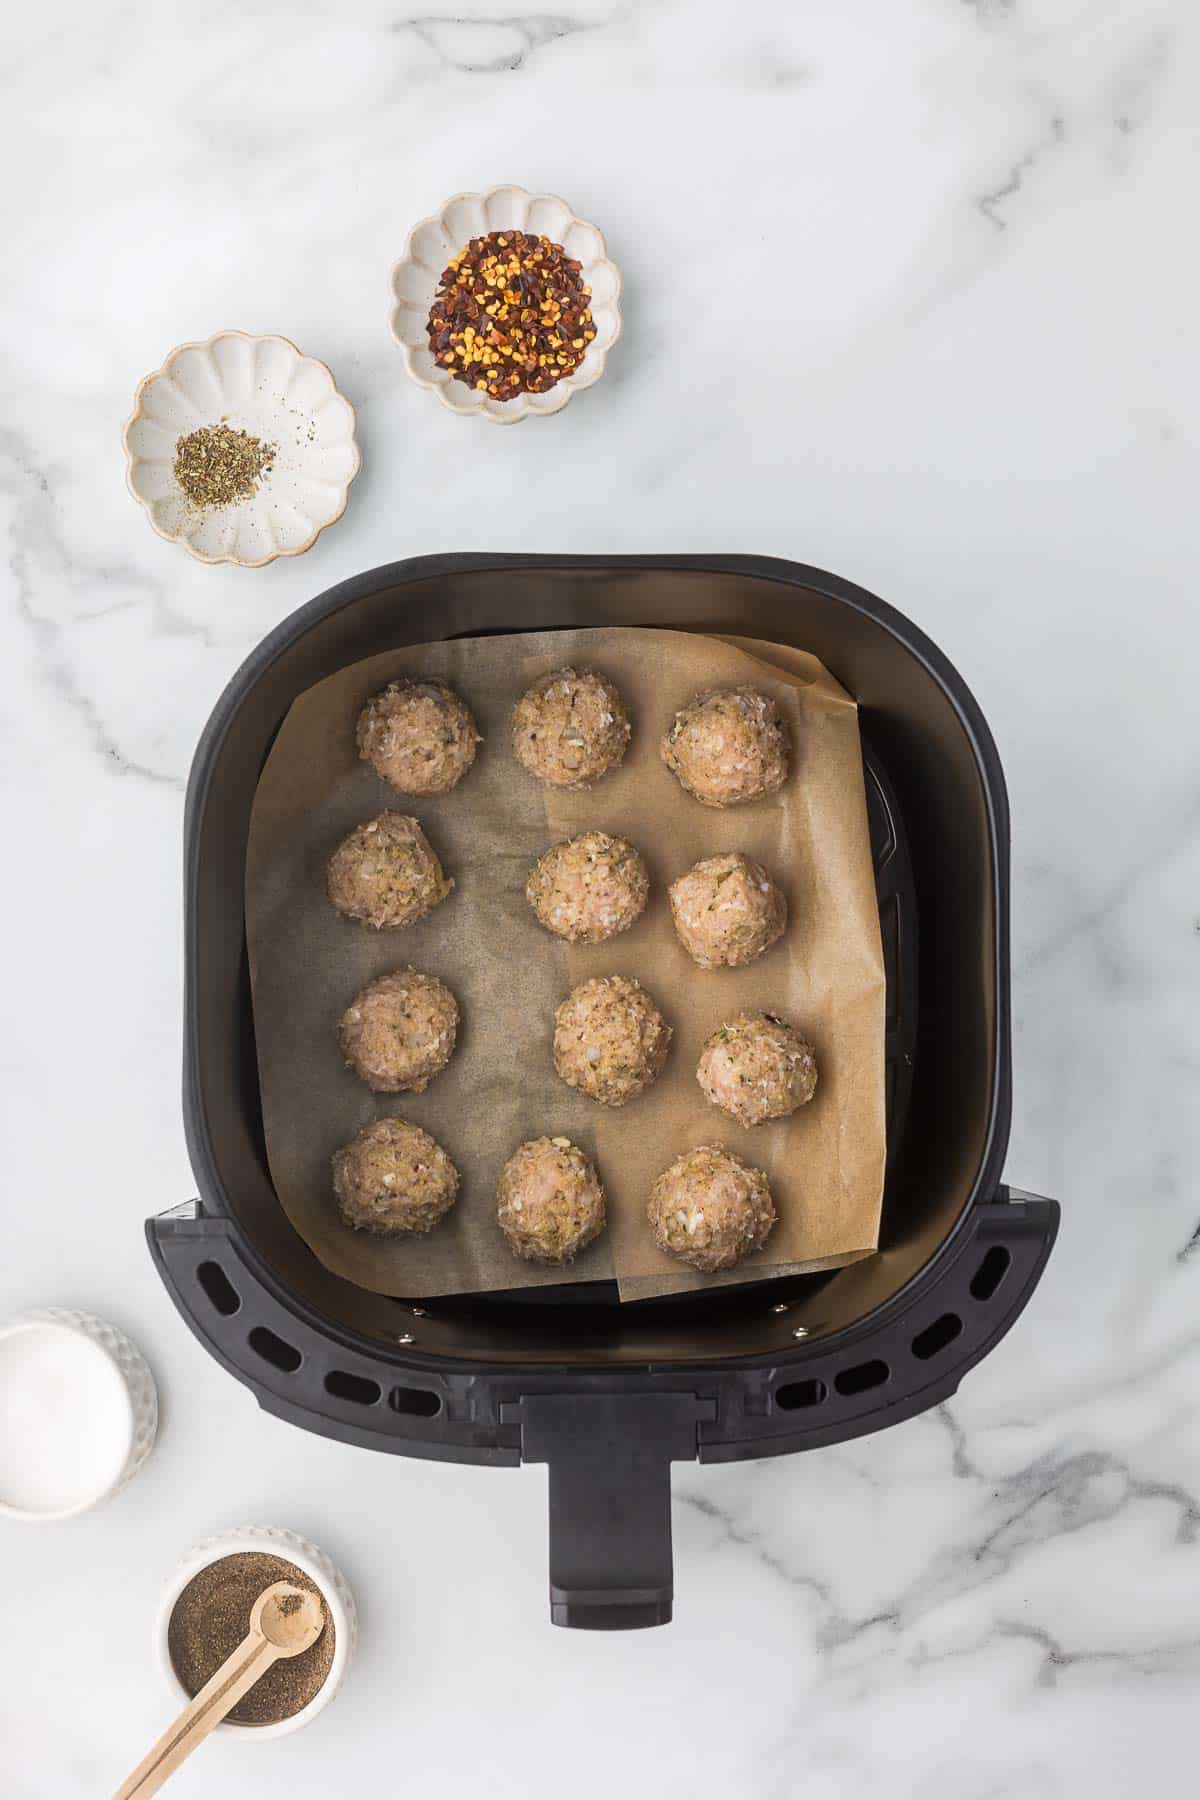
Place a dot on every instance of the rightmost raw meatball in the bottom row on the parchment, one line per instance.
(710, 1209)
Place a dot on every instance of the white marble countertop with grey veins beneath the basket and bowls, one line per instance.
(967, 238)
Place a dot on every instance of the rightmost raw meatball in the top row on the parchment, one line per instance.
(728, 748)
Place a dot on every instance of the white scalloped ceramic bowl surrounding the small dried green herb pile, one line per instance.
(267, 388)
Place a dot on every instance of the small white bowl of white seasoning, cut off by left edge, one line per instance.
(78, 1414)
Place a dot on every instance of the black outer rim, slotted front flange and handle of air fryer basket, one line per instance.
(611, 1432)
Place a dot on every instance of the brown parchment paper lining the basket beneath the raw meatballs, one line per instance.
(827, 973)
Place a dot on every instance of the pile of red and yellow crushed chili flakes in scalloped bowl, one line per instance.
(512, 316)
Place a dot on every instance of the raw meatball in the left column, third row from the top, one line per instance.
(400, 1032)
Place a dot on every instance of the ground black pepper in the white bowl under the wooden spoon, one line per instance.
(213, 1615)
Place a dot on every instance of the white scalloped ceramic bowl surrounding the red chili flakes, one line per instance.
(429, 251)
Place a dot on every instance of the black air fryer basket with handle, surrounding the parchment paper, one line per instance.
(607, 1394)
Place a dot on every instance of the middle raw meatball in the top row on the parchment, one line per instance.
(571, 728)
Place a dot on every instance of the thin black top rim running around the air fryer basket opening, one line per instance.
(345, 597)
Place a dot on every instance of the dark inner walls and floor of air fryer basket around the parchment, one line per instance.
(936, 755)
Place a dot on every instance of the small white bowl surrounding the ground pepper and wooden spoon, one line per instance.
(269, 1542)
